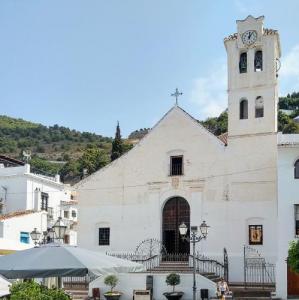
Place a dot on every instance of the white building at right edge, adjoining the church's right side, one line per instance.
(288, 211)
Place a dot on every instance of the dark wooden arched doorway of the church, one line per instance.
(175, 212)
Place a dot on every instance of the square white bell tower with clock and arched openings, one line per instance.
(253, 60)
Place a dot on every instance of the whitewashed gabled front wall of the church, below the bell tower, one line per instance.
(229, 187)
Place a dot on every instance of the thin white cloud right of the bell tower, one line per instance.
(289, 73)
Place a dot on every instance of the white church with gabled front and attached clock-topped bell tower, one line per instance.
(181, 173)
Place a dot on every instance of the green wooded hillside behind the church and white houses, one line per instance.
(57, 149)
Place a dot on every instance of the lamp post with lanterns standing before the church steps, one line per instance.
(194, 238)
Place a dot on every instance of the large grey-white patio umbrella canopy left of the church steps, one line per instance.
(55, 260)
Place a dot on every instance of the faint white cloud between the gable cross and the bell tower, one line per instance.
(209, 92)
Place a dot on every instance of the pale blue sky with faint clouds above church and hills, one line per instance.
(86, 64)
